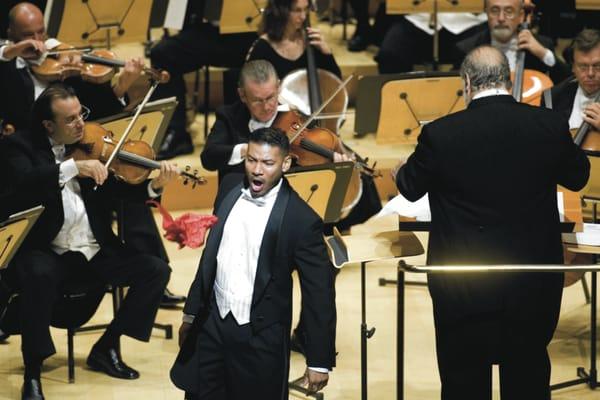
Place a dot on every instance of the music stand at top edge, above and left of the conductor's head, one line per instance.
(433, 7)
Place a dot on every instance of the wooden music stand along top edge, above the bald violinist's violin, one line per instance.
(98, 22)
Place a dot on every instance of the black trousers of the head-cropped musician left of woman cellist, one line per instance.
(195, 46)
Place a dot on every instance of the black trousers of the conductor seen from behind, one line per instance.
(515, 336)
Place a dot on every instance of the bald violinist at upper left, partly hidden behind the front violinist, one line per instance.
(27, 31)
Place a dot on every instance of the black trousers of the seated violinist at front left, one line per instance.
(41, 273)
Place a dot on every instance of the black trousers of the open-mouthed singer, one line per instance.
(237, 364)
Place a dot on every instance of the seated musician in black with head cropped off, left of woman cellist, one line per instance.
(198, 44)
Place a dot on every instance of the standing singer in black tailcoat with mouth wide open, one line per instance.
(234, 338)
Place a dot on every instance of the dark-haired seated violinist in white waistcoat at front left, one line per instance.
(74, 237)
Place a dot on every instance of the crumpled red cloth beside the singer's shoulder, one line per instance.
(187, 230)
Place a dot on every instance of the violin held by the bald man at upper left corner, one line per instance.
(95, 66)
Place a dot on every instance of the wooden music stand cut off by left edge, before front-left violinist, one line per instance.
(13, 232)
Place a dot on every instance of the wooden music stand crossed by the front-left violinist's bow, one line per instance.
(150, 127)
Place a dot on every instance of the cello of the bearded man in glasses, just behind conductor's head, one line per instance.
(528, 84)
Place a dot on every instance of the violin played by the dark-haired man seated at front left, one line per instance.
(133, 162)
